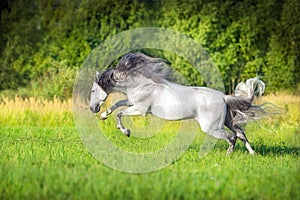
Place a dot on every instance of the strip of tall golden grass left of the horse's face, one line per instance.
(34, 111)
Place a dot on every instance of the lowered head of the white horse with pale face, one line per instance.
(101, 87)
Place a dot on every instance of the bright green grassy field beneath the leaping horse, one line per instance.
(42, 157)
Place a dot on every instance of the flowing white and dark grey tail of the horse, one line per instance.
(240, 106)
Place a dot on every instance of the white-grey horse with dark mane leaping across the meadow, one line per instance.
(145, 82)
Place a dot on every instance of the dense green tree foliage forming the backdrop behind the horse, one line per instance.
(244, 39)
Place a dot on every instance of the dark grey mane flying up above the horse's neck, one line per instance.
(153, 68)
